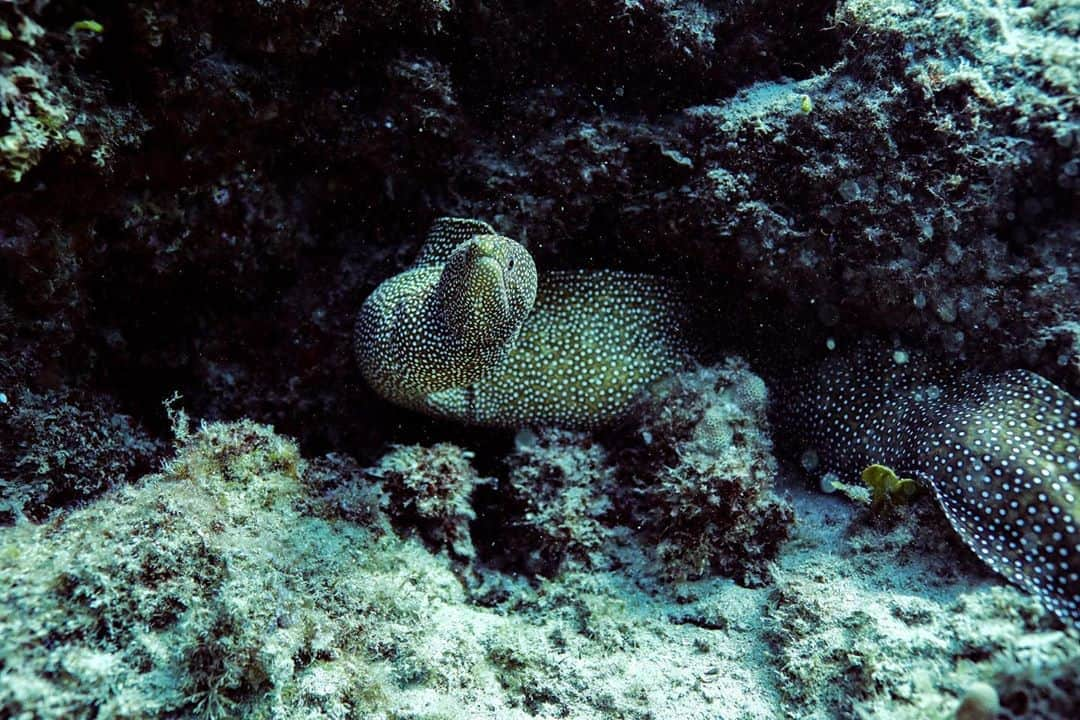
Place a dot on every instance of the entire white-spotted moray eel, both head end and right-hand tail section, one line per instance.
(472, 334)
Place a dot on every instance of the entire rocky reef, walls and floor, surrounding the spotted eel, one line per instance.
(197, 198)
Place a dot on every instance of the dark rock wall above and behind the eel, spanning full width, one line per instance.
(249, 187)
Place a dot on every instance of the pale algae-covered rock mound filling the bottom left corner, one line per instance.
(191, 593)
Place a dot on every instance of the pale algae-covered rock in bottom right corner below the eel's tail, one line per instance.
(849, 648)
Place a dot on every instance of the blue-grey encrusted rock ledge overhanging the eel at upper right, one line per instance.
(916, 194)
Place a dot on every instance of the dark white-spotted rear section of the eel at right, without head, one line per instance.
(1002, 454)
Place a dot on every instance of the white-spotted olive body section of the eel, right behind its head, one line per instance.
(595, 342)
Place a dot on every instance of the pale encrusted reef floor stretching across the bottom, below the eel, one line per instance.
(244, 581)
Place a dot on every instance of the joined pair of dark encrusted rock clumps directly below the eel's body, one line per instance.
(688, 482)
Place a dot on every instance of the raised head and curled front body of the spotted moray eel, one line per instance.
(467, 335)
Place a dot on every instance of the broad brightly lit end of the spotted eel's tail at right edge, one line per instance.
(1006, 468)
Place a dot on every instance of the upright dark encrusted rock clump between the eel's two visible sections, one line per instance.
(699, 480)
